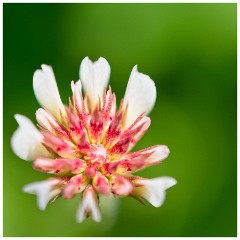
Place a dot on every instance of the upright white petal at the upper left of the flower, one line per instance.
(46, 91)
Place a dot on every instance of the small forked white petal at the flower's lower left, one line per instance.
(43, 190)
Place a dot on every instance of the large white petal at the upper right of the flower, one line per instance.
(140, 95)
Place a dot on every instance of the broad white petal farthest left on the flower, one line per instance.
(26, 140)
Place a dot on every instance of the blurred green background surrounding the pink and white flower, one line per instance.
(189, 50)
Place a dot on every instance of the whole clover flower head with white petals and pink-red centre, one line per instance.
(85, 145)
